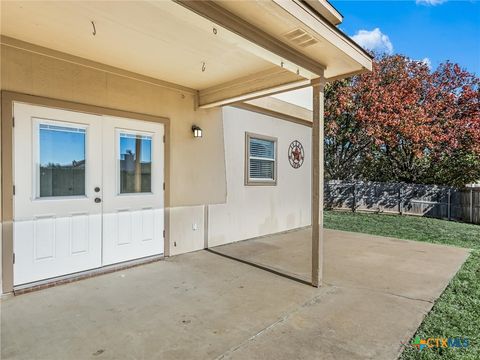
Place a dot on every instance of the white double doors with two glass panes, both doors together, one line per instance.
(88, 191)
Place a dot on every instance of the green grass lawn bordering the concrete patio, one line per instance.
(456, 313)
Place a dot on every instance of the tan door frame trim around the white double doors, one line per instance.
(7, 165)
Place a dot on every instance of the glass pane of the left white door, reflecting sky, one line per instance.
(62, 160)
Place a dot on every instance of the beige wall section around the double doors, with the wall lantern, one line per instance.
(197, 166)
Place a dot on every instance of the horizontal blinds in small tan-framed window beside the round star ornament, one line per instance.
(262, 159)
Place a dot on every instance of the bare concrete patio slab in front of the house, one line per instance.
(204, 306)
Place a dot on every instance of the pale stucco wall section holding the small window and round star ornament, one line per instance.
(252, 211)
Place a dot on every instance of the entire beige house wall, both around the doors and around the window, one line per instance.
(199, 168)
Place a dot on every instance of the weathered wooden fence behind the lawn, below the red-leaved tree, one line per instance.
(440, 202)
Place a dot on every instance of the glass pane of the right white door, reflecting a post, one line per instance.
(135, 163)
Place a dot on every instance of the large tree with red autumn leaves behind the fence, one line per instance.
(402, 122)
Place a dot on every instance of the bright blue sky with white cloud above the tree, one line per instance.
(424, 29)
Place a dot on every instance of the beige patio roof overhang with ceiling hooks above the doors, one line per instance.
(225, 51)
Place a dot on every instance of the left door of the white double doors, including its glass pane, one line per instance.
(57, 224)
